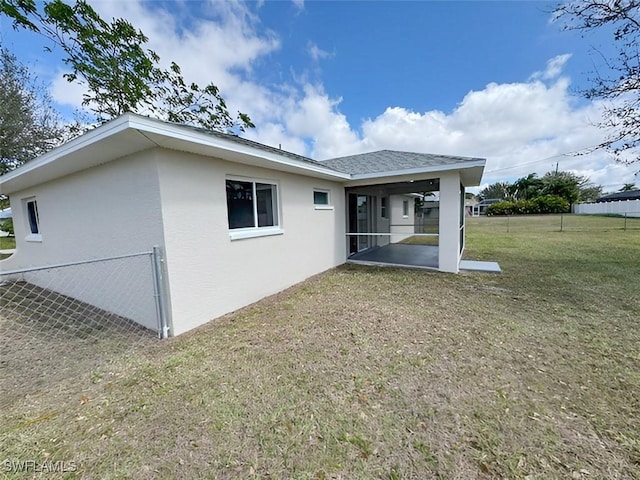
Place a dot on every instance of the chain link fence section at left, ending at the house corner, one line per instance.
(59, 322)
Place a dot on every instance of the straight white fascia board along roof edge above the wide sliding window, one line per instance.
(228, 149)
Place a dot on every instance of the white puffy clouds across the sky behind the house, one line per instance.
(519, 127)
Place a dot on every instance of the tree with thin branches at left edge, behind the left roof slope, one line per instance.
(29, 126)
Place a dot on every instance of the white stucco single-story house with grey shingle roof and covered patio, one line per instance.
(236, 220)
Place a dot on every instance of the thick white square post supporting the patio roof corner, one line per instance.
(449, 241)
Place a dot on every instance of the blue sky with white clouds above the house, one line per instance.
(492, 79)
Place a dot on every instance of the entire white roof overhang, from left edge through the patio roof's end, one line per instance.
(131, 133)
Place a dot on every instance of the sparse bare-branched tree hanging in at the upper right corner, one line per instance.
(618, 82)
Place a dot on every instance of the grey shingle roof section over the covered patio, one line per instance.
(392, 161)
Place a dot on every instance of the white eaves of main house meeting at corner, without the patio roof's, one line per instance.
(130, 134)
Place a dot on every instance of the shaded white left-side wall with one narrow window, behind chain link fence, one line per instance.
(109, 210)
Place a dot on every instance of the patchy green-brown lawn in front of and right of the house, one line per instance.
(365, 372)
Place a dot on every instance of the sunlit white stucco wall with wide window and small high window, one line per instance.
(209, 273)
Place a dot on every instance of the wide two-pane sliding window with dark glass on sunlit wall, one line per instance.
(252, 204)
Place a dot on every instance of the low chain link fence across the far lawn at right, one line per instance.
(629, 221)
